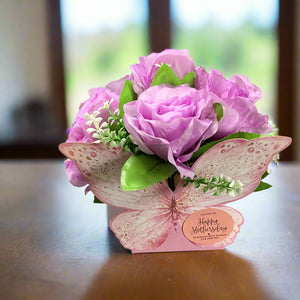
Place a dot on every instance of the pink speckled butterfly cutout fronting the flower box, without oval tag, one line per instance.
(153, 217)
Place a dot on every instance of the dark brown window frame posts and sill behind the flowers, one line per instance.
(160, 39)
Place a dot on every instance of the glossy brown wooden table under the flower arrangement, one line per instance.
(54, 244)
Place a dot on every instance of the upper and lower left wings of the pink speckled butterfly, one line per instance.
(148, 223)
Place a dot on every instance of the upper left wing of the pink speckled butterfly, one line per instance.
(101, 168)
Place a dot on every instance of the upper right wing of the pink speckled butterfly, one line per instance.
(237, 159)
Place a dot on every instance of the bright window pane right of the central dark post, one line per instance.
(232, 36)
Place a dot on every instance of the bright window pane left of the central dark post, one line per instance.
(100, 43)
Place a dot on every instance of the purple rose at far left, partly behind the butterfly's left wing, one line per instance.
(78, 132)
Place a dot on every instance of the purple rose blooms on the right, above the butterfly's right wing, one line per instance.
(237, 96)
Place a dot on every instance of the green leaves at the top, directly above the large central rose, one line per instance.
(165, 75)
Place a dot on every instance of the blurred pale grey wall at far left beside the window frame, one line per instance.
(24, 56)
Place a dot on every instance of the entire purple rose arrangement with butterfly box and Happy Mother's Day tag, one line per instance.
(171, 144)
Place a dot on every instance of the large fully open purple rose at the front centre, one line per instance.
(171, 122)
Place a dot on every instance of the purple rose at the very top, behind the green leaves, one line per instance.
(144, 72)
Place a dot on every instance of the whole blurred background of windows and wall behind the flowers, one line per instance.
(53, 52)
